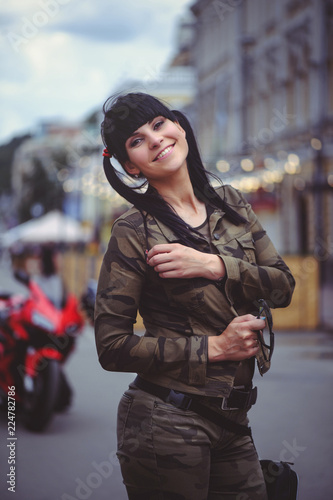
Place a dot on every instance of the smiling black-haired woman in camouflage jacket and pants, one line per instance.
(194, 261)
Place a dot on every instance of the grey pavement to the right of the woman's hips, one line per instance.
(293, 417)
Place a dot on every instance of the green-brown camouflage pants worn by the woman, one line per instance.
(166, 453)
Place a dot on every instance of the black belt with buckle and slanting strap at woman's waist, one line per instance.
(238, 399)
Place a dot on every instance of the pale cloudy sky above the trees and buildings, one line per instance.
(61, 59)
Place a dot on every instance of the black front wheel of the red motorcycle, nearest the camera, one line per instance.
(39, 403)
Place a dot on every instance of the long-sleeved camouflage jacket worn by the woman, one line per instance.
(180, 314)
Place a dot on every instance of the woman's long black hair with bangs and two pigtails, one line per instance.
(122, 116)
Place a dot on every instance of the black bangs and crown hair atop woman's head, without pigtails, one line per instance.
(123, 115)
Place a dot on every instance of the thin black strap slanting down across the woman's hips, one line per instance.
(186, 402)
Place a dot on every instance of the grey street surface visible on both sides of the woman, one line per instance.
(75, 459)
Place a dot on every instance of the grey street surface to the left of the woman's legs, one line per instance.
(64, 460)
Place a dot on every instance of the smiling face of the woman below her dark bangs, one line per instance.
(158, 149)
